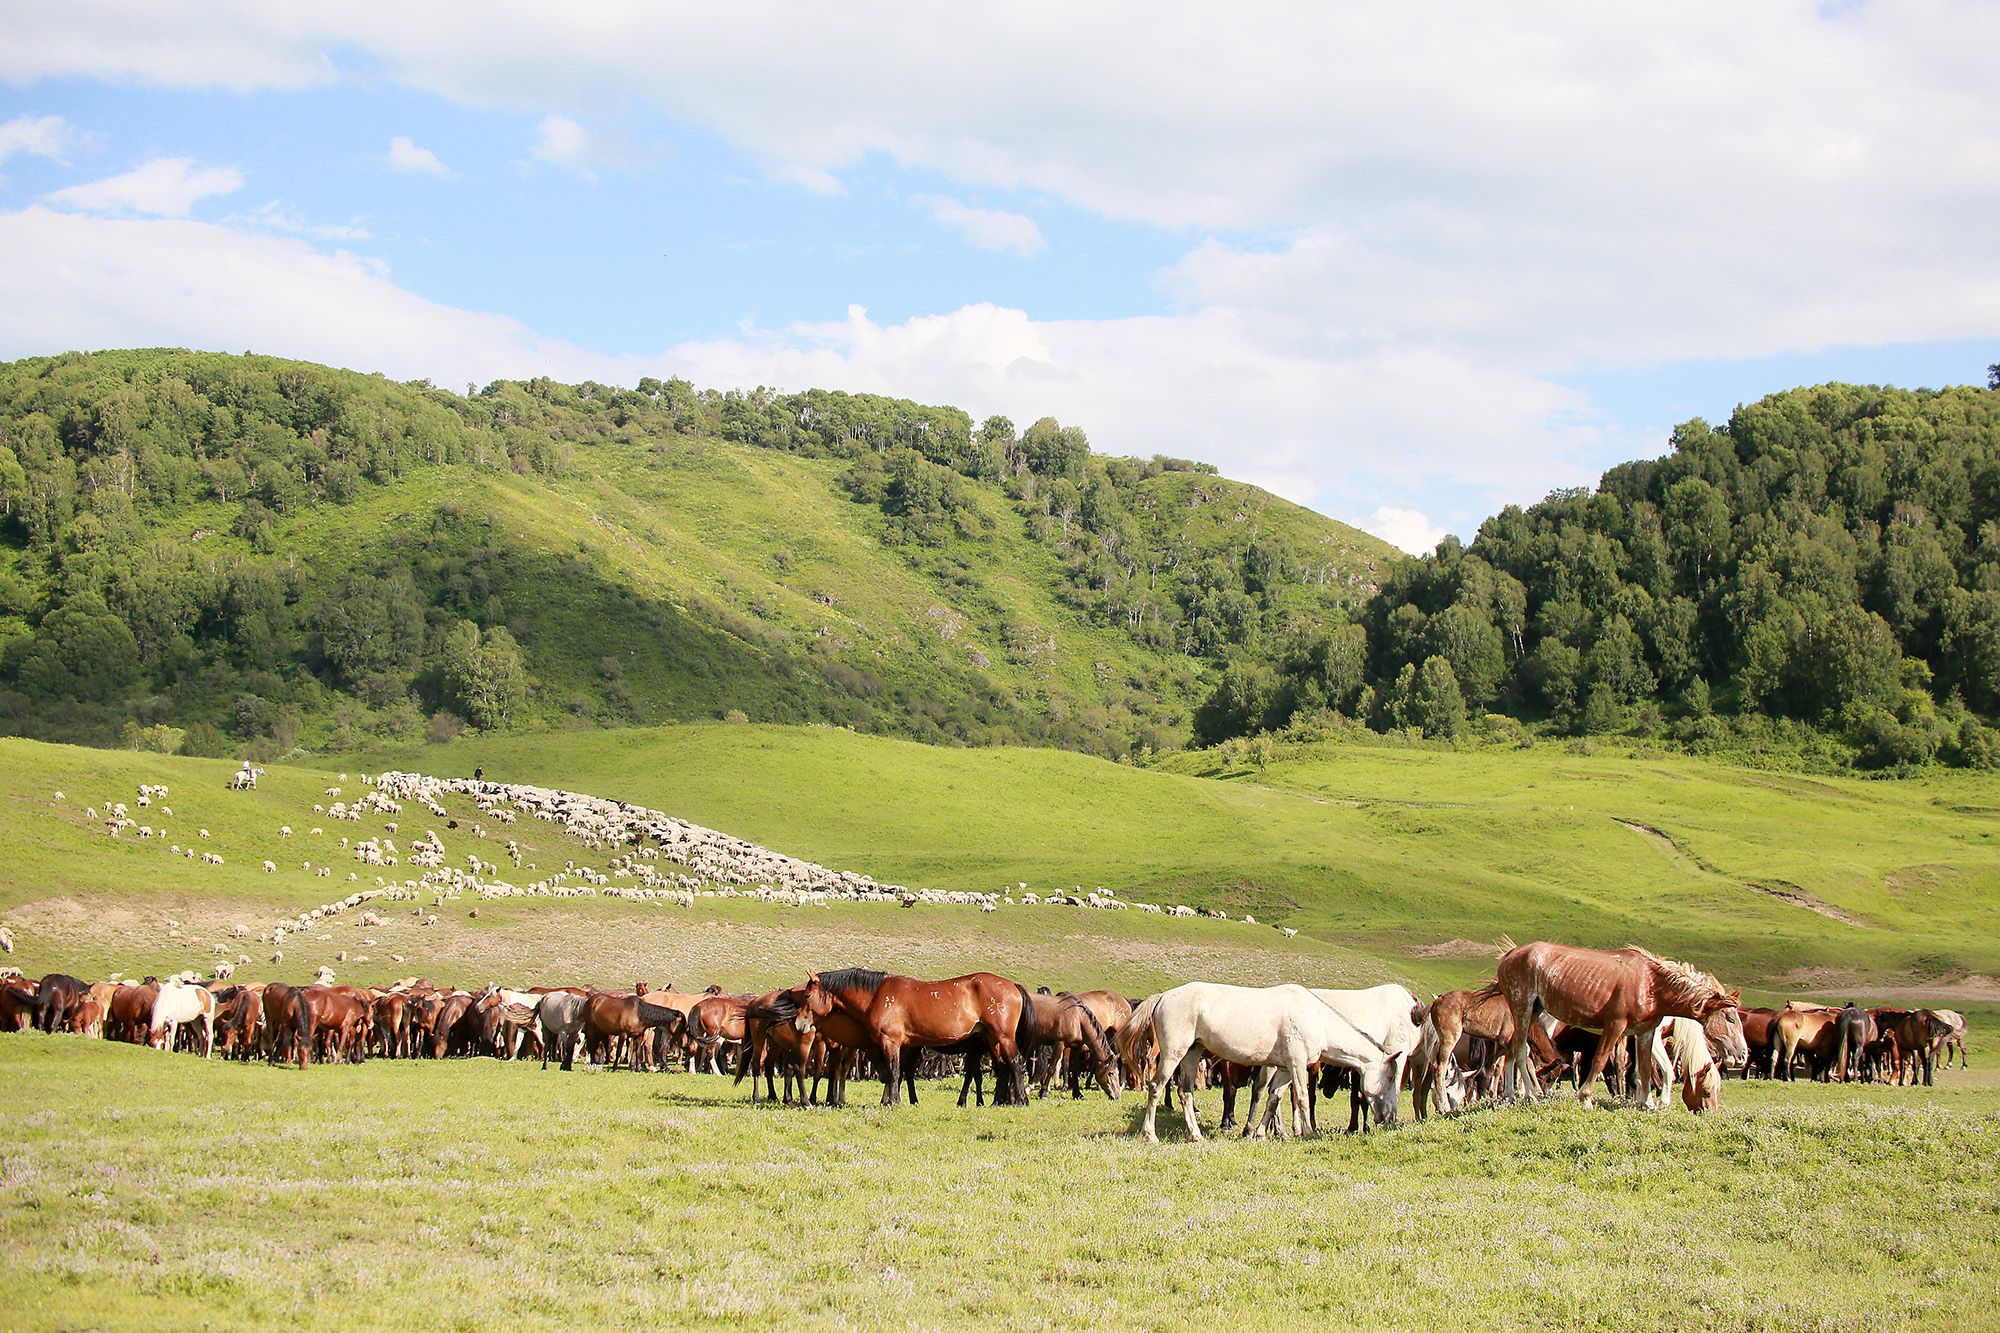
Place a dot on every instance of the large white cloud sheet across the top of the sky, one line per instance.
(1571, 185)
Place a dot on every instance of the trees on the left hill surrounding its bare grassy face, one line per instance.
(147, 587)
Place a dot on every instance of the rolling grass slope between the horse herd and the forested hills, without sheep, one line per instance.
(1387, 862)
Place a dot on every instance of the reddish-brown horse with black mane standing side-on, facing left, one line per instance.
(903, 1014)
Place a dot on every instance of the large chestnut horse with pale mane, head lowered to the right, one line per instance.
(1607, 992)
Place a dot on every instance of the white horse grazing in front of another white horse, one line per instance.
(1273, 1028)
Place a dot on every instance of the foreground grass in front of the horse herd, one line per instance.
(159, 1192)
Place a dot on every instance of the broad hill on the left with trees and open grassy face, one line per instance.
(221, 553)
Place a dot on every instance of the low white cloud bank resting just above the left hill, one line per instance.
(1341, 433)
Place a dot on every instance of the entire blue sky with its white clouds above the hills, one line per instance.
(1397, 267)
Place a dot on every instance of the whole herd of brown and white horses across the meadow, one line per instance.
(1639, 1022)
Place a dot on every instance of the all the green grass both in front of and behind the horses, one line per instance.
(163, 1192)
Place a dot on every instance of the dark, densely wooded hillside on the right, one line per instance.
(1823, 571)
